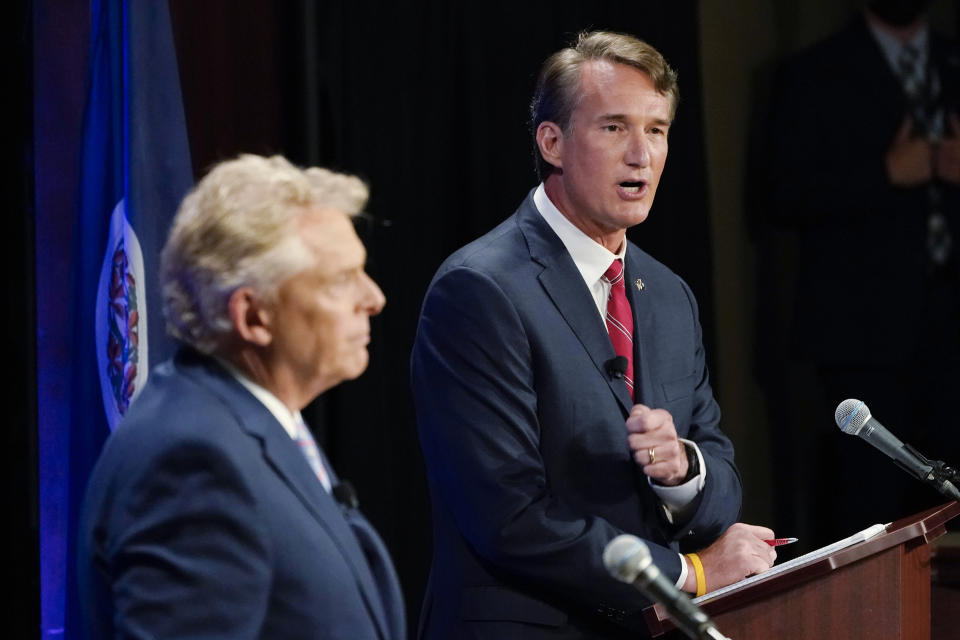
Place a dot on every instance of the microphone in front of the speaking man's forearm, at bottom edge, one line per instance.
(628, 559)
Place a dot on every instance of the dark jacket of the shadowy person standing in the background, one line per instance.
(863, 268)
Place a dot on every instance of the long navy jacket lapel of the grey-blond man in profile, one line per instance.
(284, 457)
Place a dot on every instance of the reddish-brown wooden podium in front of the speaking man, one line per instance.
(877, 589)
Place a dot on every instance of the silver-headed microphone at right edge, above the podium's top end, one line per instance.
(854, 418)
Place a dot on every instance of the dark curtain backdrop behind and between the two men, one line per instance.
(428, 102)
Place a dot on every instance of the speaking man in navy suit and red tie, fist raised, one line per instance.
(541, 444)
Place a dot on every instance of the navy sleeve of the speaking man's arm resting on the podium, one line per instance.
(476, 404)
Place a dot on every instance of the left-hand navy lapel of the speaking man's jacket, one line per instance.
(565, 286)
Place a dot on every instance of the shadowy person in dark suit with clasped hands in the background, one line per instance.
(865, 167)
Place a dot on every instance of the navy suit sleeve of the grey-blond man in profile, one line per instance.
(185, 553)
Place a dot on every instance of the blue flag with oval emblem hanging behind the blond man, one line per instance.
(135, 169)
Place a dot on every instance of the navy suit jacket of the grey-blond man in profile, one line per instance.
(203, 519)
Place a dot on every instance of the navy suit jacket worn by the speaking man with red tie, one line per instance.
(523, 434)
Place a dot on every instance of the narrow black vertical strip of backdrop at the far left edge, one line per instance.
(20, 434)
